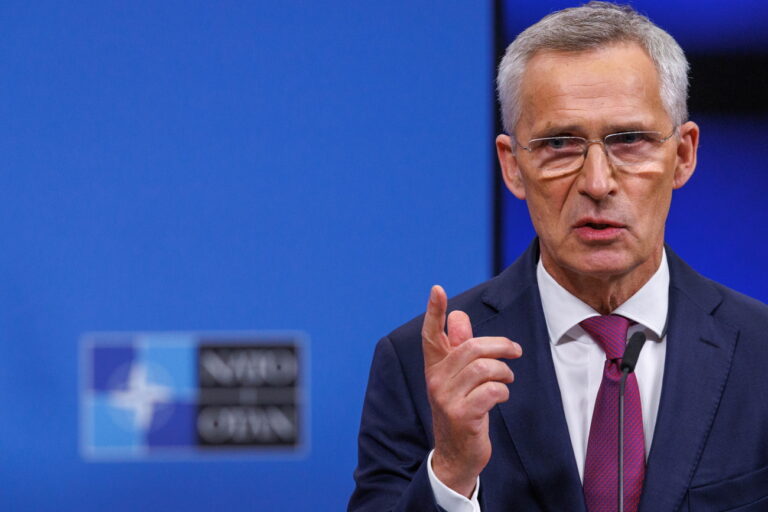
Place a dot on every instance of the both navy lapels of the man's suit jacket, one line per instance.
(699, 353)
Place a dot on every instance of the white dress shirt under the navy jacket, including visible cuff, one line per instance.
(579, 363)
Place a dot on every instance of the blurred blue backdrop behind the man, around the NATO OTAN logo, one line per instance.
(286, 166)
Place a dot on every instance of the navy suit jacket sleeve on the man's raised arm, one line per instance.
(393, 443)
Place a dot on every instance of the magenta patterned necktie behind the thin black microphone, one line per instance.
(601, 469)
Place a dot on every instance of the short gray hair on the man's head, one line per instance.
(591, 26)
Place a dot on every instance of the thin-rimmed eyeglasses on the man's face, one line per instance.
(632, 151)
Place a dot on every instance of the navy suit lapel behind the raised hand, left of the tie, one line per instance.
(534, 415)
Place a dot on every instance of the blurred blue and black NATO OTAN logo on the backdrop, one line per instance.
(155, 395)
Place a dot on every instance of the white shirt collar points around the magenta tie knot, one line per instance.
(562, 310)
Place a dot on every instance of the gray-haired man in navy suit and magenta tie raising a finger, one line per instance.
(510, 402)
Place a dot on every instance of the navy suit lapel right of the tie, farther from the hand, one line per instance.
(698, 360)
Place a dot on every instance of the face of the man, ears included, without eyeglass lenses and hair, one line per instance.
(590, 95)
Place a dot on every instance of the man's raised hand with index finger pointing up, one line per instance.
(465, 379)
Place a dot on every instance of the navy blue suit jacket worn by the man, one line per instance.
(710, 446)
